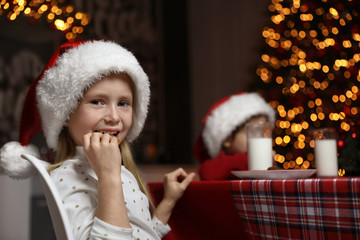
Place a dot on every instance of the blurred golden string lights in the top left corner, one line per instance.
(60, 15)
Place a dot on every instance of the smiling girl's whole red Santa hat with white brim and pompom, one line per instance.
(55, 94)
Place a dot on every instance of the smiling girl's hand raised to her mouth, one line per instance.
(103, 153)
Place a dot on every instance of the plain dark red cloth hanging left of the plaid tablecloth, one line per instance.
(206, 211)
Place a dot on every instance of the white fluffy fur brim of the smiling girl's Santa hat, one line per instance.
(61, 88)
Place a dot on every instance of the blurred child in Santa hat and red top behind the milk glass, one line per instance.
(222, 144)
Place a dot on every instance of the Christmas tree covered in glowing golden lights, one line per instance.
(310, 74)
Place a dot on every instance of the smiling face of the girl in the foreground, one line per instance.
(106, 107)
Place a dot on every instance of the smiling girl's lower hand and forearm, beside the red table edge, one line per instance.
(175, 183)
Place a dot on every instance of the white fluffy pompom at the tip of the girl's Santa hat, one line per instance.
(13, 164)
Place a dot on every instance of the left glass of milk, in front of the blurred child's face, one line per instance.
(259, 145)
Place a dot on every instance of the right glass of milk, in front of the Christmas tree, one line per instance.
(326, 160)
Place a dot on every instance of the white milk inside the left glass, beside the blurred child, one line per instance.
(259, 153)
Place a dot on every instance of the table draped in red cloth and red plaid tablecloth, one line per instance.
(313, 208)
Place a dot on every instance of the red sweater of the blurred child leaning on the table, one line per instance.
(220, 168)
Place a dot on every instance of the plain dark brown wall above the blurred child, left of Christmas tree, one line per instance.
(224, 40)
